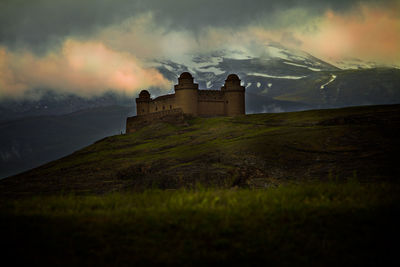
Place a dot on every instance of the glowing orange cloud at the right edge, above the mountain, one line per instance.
(368, 33)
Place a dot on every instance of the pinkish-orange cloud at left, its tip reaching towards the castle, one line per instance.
(84, 68)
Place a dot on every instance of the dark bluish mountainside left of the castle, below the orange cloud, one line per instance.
(31, 141)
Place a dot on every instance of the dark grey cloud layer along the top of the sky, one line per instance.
(41, 24)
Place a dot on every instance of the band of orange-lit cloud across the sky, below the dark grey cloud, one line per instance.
(117, 59)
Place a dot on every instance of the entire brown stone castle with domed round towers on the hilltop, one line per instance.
(188, 99)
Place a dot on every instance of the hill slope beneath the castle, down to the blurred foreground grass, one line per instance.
(258, 150)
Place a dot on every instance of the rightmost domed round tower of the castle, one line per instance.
(234, 96)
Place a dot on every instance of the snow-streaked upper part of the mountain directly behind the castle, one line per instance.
(274, 63)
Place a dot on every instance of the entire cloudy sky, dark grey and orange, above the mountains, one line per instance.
(88, 47)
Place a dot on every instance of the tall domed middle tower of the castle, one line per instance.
(186, 94)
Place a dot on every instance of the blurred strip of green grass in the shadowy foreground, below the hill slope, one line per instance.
(311, 224)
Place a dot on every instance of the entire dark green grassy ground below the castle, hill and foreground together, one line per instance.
(312, 188)
